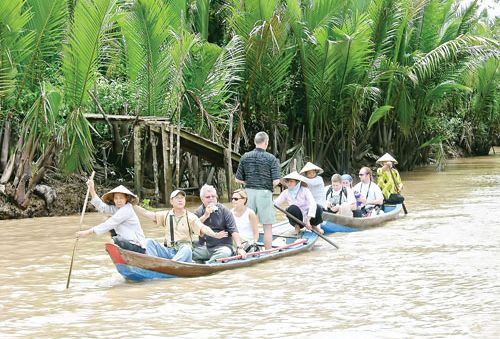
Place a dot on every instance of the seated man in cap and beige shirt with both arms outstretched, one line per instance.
(180, 227)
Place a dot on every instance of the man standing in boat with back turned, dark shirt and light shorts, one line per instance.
(259, 171)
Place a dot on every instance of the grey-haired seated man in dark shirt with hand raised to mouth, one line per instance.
(218, 218)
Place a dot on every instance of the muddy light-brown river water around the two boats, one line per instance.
(434, 272)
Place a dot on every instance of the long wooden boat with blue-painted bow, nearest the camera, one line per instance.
(137, 267)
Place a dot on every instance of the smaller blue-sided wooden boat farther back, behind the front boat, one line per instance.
(340, 223)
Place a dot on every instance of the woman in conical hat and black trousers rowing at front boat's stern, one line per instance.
(301, 203)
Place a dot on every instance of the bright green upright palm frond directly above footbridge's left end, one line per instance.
(92, 19)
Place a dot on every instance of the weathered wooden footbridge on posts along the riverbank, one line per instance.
(167, 142)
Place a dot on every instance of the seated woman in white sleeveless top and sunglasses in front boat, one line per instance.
(246, 219)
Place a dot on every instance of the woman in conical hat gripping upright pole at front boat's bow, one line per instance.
(124, 221)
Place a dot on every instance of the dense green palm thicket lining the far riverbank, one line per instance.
(332, 81)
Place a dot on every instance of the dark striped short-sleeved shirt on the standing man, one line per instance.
(258, 169)
